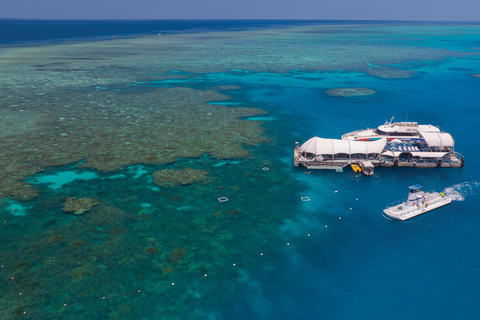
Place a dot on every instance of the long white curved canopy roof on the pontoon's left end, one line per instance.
(318, 145)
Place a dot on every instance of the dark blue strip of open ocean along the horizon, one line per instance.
(13, 31)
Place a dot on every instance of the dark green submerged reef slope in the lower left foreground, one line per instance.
(134, 240)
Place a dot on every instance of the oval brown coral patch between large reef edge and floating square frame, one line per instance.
(172, 177)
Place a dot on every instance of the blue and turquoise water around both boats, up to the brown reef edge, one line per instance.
(333, 257)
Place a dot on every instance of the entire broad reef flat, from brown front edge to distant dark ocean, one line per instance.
(93, 95)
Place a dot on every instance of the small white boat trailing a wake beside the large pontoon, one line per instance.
(418, 202)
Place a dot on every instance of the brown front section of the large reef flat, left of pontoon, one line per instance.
(157, 128)
